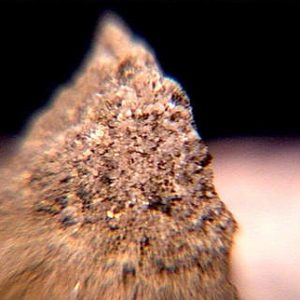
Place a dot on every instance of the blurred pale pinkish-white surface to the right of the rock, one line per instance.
(259, 180)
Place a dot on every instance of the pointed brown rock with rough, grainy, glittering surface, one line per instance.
(110, 195)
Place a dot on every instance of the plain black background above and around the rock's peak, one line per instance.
(237, 60)
